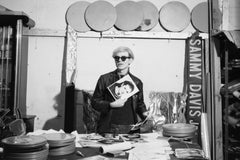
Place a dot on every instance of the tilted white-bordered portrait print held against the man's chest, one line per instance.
(123, 88)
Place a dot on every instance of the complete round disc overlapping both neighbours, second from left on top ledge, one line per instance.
(100, 15)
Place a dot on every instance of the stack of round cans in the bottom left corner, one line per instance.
(26, 147)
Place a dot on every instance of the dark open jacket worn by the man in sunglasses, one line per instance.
(102, 98)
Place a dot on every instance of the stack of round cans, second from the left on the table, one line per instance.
(60, 143)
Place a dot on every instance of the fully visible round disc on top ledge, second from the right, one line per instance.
(174, 16)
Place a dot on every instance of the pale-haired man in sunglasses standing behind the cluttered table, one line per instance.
(118, 116)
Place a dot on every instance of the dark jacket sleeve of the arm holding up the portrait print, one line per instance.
(99, 102)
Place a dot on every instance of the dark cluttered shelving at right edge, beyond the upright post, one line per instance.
(229, 54)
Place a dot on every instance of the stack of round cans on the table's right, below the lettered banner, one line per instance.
(180, 130)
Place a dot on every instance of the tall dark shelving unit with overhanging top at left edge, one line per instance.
(13, 60)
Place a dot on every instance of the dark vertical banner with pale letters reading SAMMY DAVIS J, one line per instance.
(194, 79)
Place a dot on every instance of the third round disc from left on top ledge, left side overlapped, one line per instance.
(129, 15)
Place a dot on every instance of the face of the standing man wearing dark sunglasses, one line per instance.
(123, 60)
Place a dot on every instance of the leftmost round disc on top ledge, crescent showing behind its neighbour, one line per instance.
(75, 16)
